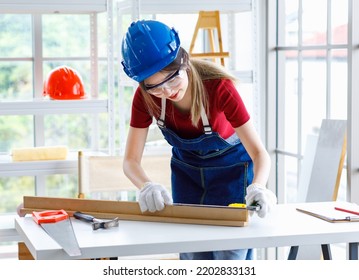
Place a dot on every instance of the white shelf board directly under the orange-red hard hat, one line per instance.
(45, 107)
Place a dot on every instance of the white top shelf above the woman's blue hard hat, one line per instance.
(185, 6)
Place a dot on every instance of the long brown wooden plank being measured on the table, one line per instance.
(127, 210)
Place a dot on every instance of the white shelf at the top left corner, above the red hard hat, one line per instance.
(52, 6)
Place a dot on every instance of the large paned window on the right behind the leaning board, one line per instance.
(312, 61)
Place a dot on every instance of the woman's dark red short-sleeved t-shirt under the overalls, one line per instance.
(226, 108)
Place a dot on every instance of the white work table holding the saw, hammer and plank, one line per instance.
(284, 226)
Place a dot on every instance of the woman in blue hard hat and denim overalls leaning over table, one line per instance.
(217, 156)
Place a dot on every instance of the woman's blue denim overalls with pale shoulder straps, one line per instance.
(208, 170)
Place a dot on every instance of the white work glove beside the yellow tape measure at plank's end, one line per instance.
(259, 195)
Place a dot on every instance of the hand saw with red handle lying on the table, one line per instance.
(58, 225)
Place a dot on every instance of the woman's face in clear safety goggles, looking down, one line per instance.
(171, 85)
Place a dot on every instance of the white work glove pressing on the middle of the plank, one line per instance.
(153, 197)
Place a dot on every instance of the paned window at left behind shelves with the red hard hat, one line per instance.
(30, 46)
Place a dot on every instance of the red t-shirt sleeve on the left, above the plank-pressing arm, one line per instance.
(140, 118)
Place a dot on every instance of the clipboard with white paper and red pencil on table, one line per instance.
(327, 212)
